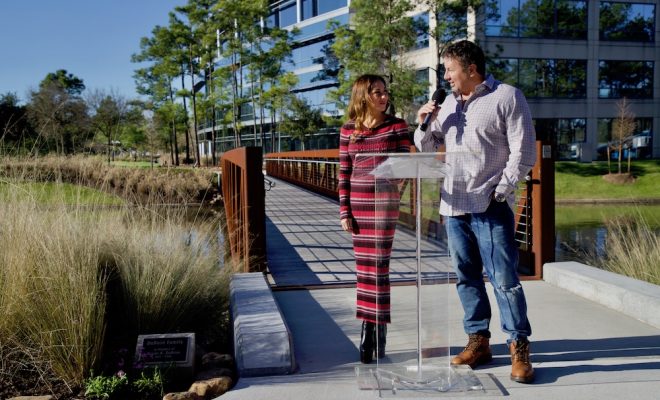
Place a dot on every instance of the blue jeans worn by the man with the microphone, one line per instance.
(485, 241)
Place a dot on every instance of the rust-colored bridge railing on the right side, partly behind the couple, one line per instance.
(535, 219)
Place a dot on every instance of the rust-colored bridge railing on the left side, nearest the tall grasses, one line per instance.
(244, 200)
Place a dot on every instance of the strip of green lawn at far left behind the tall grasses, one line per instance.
(58, 193)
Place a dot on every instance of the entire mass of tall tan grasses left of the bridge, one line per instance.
(80, 281)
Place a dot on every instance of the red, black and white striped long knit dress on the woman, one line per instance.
(373, 229)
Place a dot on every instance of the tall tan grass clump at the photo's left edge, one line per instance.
(53, 286)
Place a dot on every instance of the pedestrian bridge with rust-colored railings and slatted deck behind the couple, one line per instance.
(293, 225)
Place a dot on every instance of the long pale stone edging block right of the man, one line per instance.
(638, 299)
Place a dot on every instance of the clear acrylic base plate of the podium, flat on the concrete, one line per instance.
(407, 381)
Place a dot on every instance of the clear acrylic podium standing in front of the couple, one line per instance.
(418, 351)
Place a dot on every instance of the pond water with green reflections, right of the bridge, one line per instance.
(581, 231)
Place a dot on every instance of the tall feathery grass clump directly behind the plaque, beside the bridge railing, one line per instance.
(167, 275)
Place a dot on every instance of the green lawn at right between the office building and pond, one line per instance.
(575, 180)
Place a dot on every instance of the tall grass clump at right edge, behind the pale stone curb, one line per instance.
(633, 249)
